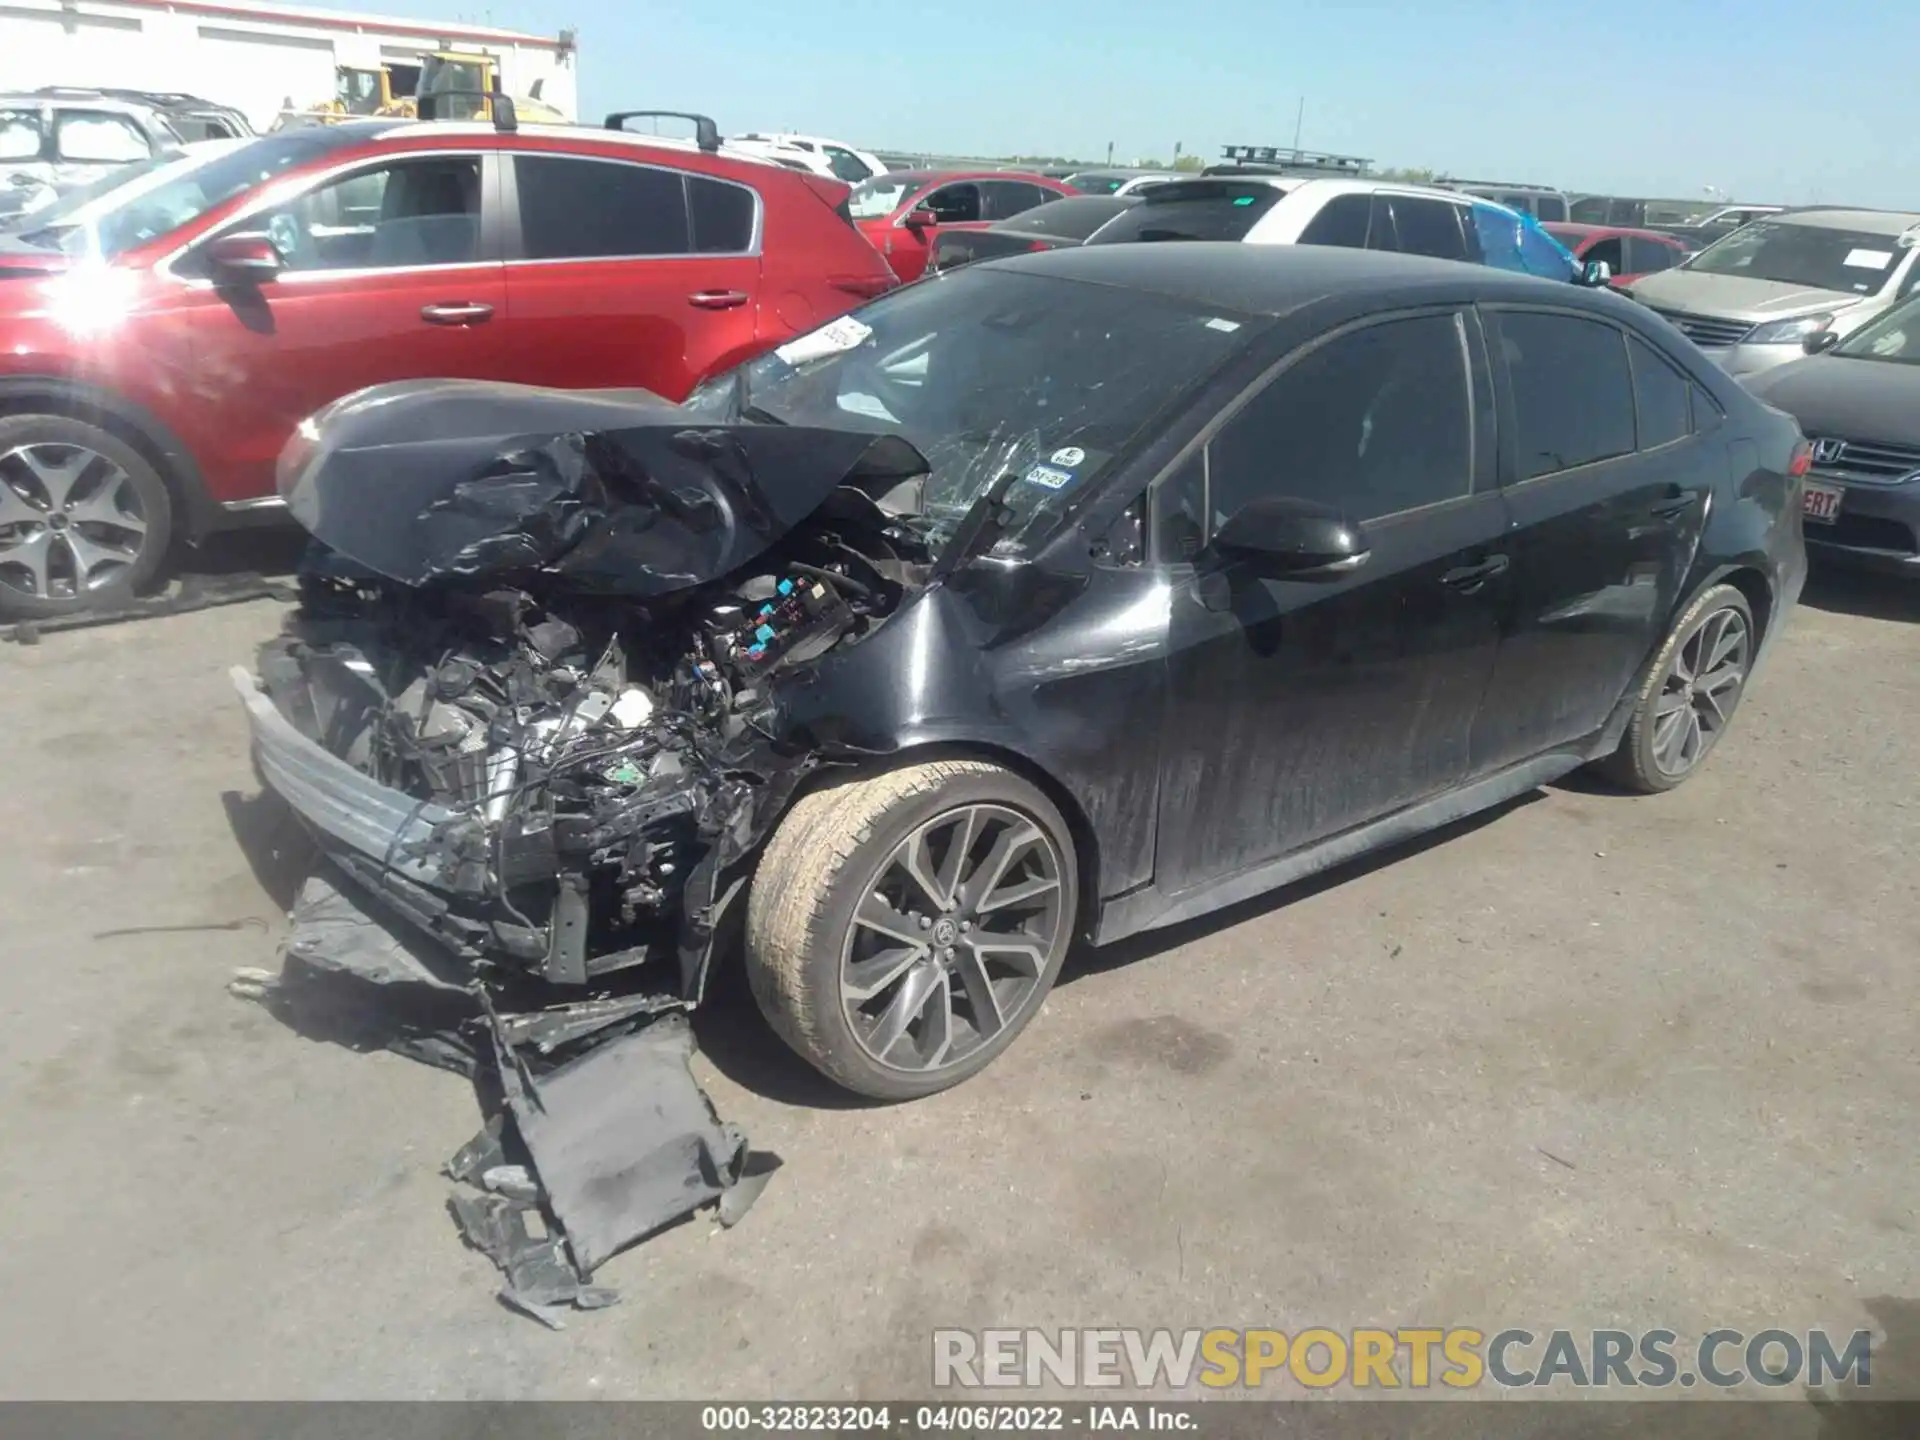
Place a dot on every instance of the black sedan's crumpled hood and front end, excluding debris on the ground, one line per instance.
(533, 692)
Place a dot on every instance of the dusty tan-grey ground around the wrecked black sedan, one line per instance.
(1589, 1061)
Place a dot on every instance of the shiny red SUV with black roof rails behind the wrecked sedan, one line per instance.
(158, 345)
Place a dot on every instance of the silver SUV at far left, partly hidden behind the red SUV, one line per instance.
(53, 145)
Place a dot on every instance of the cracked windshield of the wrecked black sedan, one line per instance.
(992, 373)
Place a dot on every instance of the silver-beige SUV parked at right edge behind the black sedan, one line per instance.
(1752, 299)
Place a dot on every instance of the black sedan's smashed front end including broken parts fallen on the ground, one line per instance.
(533, 713)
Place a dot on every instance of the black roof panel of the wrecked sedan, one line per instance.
(1282, 279)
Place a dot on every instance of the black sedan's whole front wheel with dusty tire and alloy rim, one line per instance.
(905, 928)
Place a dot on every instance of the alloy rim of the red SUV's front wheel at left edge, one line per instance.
(70, 521)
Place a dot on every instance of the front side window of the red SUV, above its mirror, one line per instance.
(410, 214)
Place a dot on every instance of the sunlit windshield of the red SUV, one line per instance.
(180, 193)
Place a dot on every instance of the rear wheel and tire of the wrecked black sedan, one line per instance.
(1691, 694)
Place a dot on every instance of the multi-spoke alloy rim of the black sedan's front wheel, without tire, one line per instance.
(953, 938)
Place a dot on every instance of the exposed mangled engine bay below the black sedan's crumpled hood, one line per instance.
(592, 750)
